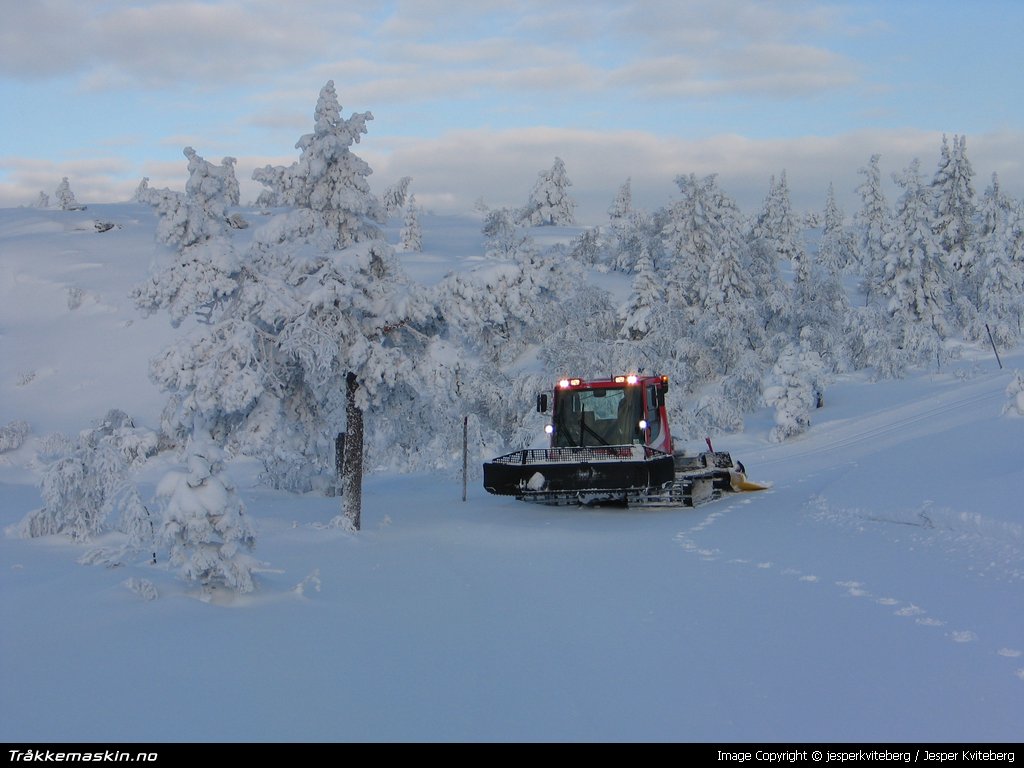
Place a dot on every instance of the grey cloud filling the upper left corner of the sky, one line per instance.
(169, 45)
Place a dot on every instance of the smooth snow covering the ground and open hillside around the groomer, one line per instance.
(873, 594)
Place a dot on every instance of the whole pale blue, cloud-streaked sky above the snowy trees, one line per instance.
(474, 100)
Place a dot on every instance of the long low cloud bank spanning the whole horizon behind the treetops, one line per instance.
(455, 170)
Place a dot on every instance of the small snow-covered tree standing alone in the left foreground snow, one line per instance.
(205, 528)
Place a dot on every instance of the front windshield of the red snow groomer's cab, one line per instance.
(598, 417)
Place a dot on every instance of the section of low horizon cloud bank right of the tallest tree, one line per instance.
(500, 167)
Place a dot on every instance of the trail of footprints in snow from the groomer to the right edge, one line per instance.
(900, 609)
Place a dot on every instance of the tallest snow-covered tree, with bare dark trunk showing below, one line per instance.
(356, 332)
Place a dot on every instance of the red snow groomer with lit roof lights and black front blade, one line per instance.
(611, 445)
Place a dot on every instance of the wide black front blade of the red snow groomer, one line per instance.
(564, 475)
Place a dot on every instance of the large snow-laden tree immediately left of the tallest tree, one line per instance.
(223, 370)
